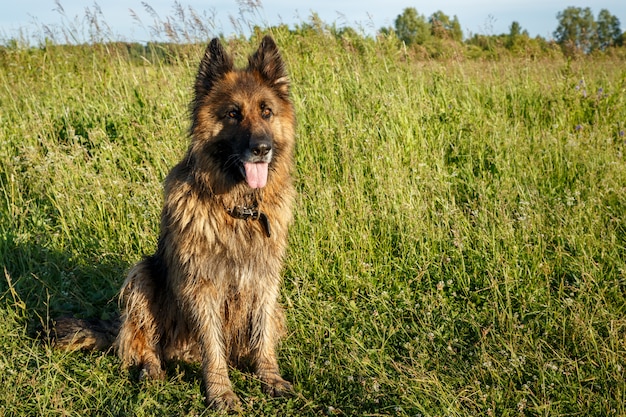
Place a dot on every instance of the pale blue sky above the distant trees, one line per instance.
(26, 18)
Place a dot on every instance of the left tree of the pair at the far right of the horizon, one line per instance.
(576, 29)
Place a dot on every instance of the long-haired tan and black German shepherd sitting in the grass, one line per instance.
(210, 292)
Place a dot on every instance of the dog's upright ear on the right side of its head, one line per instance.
(269, 64)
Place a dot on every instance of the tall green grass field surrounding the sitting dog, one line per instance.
(459, 245)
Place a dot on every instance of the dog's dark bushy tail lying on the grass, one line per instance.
(78, 334)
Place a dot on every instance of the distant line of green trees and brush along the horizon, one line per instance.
(439, 36)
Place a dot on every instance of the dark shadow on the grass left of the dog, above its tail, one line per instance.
(54, 283)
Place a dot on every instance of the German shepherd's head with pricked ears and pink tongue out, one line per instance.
(242, 119)
